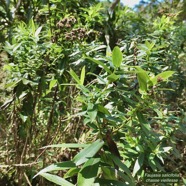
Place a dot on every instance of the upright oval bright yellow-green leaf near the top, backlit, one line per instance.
(117, 57)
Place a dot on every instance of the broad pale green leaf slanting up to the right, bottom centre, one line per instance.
(88, 152)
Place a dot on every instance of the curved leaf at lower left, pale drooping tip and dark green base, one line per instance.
(56, 167)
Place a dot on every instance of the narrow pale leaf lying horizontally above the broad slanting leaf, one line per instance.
(66, 145)
